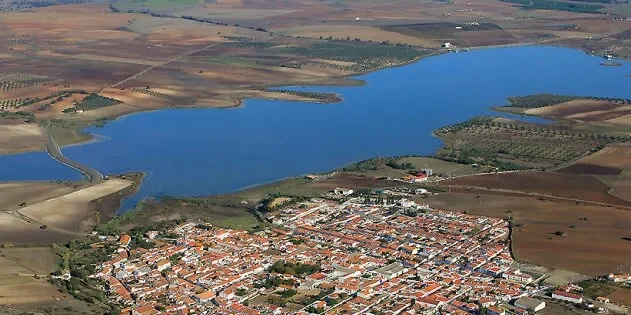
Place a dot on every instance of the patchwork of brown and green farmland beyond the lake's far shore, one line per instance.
(142, 55)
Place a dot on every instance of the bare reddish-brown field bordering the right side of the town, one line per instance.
(593, 246)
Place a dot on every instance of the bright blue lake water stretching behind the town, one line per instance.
(209, 151)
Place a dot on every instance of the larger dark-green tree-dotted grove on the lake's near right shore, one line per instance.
(515, 145)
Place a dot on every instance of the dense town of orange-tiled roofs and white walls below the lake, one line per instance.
(344, 255)
